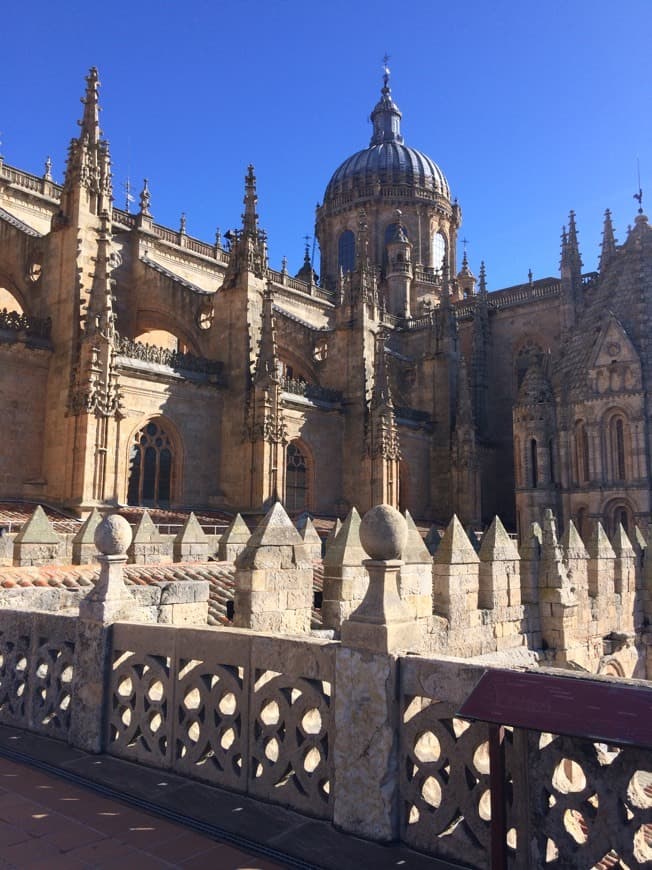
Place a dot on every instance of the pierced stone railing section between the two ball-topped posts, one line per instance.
(247, 711)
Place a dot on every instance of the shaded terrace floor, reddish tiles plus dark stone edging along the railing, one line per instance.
(68, 809)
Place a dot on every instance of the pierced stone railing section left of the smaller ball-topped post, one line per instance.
(36, 671)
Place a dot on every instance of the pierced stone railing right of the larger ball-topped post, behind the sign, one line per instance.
(570, 802)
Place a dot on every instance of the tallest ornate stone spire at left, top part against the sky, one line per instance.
(89, 162)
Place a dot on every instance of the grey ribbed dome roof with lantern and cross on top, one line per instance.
(387, 159)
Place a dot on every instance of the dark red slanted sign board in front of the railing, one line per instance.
(602, 711)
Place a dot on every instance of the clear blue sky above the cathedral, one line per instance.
(530, 109)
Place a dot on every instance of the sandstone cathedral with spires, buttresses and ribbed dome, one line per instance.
(142, 366)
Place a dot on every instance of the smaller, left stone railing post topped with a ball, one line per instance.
(108, 602)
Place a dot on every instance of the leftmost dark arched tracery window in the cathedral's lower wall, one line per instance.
(150, 467)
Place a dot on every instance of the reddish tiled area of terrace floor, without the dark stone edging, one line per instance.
(49, 823)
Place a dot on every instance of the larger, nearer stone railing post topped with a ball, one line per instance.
(367, 715)
